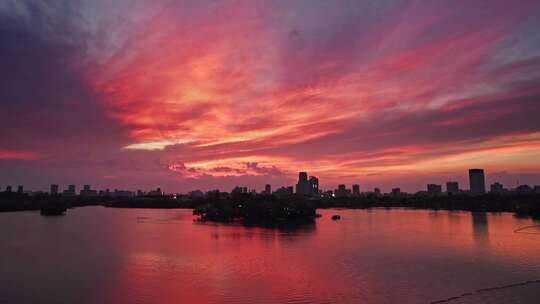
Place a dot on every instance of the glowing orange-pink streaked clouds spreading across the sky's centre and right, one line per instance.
(244, 86)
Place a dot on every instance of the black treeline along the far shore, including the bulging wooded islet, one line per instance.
(258, 207)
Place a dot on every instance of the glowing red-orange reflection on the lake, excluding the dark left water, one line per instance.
(369, 256)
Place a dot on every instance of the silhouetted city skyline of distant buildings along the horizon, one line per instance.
(306, 186)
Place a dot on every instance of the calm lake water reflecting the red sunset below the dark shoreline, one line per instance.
(102, 255)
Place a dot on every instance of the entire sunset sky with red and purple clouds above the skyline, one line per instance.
(135, 94)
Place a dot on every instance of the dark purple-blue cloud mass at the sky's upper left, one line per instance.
(46, 104)
